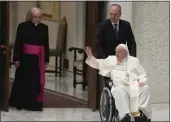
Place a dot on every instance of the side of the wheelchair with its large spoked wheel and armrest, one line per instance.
(108, 111)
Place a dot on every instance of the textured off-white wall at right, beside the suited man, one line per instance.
(151, 29)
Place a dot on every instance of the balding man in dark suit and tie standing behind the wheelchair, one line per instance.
(114, 31)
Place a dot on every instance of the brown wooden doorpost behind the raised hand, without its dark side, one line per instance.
(92, 18)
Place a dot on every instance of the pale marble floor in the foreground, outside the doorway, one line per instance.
(160, 113)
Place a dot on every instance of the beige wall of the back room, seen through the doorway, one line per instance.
(18, 12)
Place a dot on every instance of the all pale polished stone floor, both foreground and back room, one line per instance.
(64, 85)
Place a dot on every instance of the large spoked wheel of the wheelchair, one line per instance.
(106, 106)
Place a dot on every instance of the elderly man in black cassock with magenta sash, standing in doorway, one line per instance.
(31, 56)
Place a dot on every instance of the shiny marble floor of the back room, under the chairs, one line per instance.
(61, 84)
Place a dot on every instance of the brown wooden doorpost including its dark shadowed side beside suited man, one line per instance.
(95, 13)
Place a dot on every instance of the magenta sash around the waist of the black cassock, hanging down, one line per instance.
(38, 50)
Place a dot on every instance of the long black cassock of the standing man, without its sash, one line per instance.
(26, 87)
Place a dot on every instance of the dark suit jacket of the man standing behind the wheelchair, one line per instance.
(107, 41)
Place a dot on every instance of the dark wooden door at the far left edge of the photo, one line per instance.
(4, 55)
